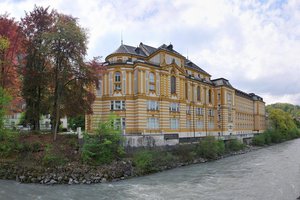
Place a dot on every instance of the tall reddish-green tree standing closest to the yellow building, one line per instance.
(70, 75)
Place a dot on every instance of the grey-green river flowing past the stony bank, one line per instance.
(269, 173)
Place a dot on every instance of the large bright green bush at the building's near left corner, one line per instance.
(105, 146)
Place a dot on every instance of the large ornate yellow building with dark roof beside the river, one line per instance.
(163, 98)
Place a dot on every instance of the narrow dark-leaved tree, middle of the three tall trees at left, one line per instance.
(36, 69)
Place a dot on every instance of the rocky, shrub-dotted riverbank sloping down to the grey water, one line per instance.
(32, 167)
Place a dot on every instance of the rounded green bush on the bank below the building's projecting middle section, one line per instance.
(210, 148)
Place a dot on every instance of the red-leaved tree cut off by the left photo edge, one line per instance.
(11, 39)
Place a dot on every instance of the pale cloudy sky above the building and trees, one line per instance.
(255, 44)
